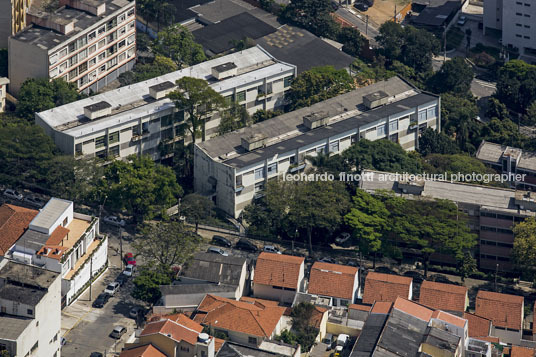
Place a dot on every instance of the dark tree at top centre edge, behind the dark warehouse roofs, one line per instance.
(312, 15)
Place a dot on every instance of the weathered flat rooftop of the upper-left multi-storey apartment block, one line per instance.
(46, 38)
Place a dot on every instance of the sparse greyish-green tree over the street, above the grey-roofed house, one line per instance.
(166, 244)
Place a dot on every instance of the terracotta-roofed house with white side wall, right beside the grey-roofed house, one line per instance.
(278, 276)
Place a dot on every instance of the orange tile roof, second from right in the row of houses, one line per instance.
(446, 297)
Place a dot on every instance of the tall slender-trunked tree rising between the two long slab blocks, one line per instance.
(198, 100)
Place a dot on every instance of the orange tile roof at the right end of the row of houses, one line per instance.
(504, 310)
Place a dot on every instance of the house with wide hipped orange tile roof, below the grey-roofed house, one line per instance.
(246, 322)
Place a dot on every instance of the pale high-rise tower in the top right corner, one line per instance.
(514, 21)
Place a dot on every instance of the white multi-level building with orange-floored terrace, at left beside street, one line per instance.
(64, 242)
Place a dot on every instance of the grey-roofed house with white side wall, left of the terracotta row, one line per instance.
(206, 273)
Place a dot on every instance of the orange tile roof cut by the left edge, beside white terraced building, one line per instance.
(14, 221)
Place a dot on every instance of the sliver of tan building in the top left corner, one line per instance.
(12, 18)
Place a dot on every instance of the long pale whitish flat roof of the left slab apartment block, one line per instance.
(253, 64)
